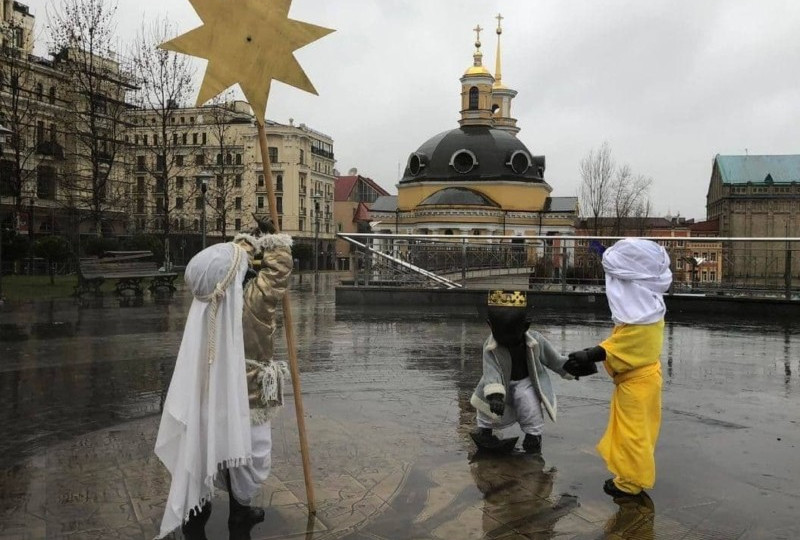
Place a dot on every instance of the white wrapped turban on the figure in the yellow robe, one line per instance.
(637, 276)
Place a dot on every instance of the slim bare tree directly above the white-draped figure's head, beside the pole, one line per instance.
(225, 194)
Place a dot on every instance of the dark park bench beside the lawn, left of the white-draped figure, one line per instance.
(129, 268)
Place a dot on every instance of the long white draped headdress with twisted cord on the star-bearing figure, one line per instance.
(205, 426)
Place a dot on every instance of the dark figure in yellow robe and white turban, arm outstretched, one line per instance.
(637, 276)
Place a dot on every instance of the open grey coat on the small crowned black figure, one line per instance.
(497, 374)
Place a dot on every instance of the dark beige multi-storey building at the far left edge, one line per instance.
(48, 183)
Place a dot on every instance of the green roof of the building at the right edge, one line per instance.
(758, 169)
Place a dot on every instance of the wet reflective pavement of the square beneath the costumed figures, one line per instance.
(388, 416)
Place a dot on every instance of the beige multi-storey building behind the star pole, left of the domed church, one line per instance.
(220, 143)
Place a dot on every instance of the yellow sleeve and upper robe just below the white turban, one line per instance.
(632, 346)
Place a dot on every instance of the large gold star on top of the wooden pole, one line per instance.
(250, 42)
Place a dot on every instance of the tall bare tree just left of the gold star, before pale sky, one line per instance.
(164, 81)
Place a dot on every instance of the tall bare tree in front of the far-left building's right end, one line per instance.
(82, 34)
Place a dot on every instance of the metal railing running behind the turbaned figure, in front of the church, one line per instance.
(759, 267)
